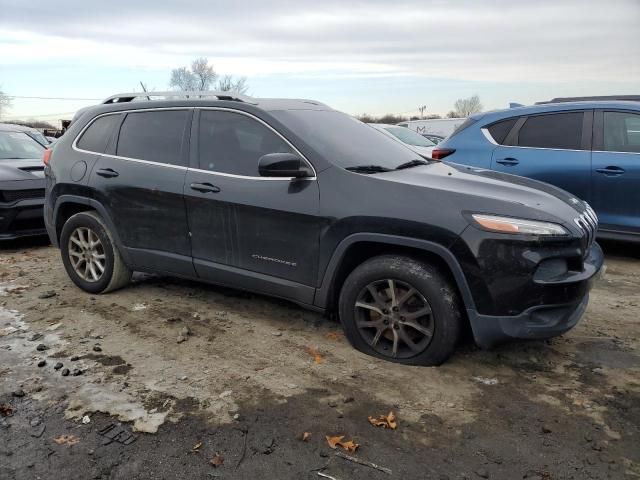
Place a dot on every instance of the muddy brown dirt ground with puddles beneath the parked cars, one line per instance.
(167, 375)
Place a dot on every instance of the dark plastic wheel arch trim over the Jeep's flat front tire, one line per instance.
(357, 248)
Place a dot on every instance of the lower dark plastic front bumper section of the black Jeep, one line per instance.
(540, 321)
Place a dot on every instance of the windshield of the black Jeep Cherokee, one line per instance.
(343, 140)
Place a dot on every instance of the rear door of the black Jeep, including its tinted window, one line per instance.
(140, 182)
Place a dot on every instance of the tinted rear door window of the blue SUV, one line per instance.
(559, 130)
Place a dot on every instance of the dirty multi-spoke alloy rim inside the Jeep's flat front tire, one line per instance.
(394, 318)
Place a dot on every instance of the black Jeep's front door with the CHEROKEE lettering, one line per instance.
(257, 233)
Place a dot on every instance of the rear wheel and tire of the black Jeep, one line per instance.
(89, 225)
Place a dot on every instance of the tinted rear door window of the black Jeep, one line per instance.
(154, 136)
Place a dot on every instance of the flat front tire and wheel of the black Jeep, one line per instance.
(430, 318)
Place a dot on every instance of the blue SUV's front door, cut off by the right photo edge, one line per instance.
(616, 169)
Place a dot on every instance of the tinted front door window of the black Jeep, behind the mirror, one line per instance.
(233, 143)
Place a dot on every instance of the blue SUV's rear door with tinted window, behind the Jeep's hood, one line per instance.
(551, 147)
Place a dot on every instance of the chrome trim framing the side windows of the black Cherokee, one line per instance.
(75, 147)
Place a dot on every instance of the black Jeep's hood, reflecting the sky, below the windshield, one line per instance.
(487, 191)
